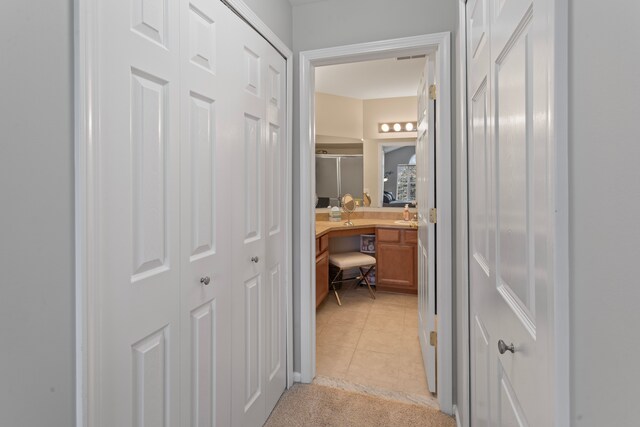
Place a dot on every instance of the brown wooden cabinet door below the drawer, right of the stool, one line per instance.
(396, 267)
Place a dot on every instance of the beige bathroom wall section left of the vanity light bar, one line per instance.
(338, 116)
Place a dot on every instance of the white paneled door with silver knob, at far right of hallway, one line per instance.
(509, 215)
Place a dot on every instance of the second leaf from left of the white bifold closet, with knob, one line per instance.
(205, 307)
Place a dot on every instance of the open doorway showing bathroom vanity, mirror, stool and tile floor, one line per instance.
(368, 339)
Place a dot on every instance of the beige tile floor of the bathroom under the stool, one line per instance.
(371, 342)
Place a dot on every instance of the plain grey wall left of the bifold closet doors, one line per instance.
(36, 214)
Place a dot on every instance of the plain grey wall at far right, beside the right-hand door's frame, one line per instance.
(604, 210)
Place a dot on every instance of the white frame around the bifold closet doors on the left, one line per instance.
(86, 117)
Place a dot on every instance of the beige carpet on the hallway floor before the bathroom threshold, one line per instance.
(316, 405)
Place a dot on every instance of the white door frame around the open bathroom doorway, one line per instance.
(441, 44)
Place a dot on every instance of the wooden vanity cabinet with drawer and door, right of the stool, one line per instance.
(397, 260)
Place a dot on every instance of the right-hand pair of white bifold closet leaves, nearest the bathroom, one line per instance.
(258, 293)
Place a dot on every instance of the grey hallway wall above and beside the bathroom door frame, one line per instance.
(336, 22)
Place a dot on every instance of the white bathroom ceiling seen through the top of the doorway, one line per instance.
(385, 78)
